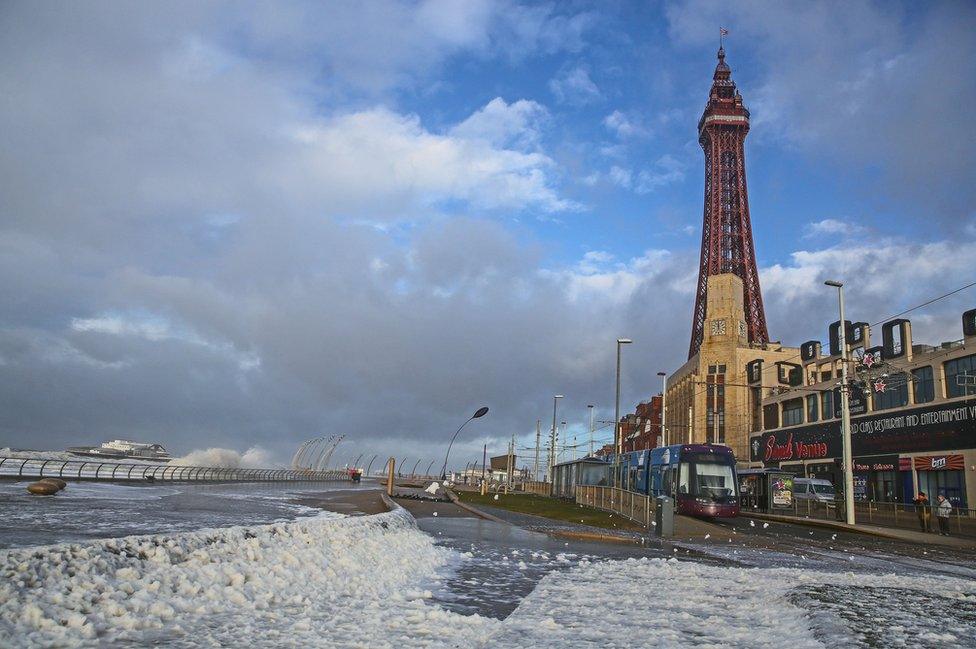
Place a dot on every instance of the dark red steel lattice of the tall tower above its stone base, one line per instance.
(726, 230)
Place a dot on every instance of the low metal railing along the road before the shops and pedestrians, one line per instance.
(961, 521)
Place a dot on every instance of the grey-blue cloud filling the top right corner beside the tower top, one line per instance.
(866, 87)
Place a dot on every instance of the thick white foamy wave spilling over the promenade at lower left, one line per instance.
(324, 581)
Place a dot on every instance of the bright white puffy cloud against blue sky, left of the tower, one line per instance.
(362, 161)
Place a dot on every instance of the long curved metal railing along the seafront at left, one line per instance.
(16, 467)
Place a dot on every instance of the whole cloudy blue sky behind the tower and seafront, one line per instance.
(242, 225)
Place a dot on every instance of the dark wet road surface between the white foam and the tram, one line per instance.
(501, 563)
